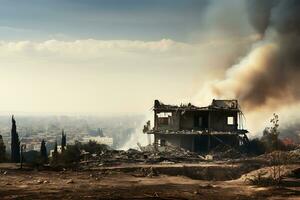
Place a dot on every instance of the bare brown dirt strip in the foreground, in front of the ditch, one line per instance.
(114, 184)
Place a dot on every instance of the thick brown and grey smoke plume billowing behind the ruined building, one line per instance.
(266, 78)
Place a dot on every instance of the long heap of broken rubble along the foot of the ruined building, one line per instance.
(170, 154)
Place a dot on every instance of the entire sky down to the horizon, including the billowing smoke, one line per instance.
(111, 57)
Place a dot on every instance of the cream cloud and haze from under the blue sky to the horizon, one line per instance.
(106, 75)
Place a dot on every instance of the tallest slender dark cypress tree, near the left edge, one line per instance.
(15, 143)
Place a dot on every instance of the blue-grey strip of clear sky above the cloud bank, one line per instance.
(100, 19)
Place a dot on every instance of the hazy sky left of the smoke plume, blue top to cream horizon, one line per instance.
(113, 56)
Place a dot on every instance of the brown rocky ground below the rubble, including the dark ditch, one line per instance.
(136, 181)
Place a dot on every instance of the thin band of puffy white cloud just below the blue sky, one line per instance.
(92, 48)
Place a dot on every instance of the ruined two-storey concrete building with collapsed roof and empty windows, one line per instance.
(199, 128)
